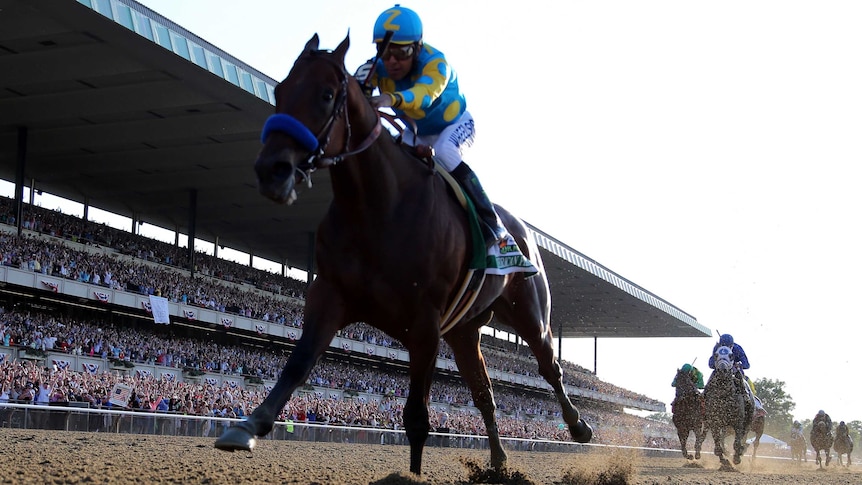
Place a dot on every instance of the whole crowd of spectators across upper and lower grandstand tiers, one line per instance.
(152, 267)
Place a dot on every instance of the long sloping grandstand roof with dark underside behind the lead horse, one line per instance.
(122, 109)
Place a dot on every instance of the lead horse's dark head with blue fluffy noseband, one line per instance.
(311, 127)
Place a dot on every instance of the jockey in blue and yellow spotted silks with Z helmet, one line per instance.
(417, 82)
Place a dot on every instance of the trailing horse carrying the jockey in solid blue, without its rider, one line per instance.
(728, 407)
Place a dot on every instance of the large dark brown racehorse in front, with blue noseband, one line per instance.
(392, 251)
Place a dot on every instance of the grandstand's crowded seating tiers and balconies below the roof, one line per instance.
(47, 324)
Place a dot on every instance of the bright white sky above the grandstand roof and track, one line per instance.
(703, 150)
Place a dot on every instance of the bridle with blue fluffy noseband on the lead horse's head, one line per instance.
(317, 144)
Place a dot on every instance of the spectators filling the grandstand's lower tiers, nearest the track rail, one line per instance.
(522, 414)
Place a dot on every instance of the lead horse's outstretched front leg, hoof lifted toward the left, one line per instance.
(324, 316)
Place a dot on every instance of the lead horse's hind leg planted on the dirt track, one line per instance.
(464, 341)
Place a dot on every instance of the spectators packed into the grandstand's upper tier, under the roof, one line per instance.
(135, 272)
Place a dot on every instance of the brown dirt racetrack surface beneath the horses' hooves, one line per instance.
(35, 456)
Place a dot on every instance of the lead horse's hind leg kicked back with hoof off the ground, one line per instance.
(525, 307)
